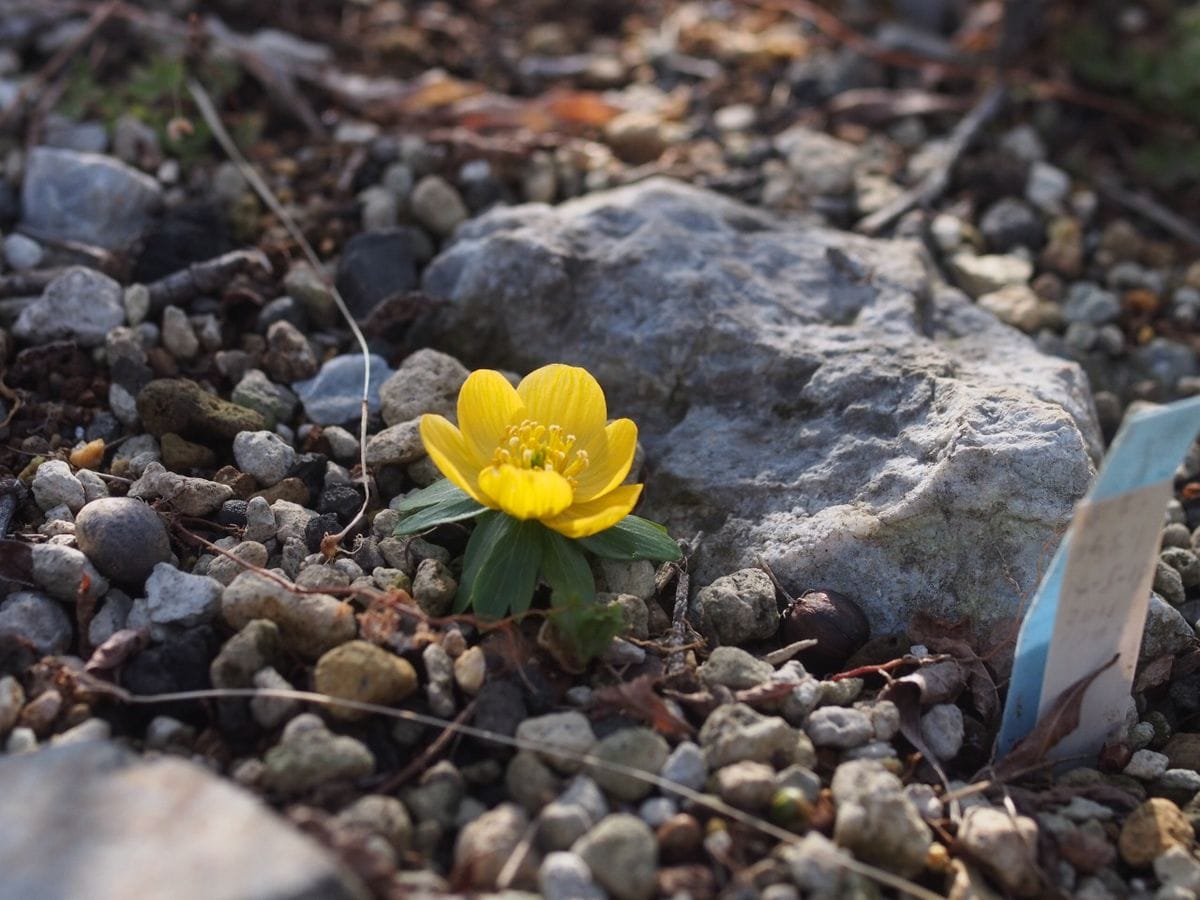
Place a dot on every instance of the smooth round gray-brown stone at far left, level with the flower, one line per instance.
(123, 538)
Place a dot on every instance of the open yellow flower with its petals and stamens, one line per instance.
(543, 451)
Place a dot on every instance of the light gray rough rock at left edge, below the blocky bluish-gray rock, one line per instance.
(81, 305)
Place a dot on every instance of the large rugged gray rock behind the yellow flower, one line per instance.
(806, 397)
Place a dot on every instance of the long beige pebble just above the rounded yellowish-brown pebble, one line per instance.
(310, 623)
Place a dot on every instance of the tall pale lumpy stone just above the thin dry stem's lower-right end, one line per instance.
(877, 820)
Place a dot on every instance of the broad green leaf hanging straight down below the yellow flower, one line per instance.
(500, 567)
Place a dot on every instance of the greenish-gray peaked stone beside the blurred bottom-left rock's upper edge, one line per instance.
(309, 755)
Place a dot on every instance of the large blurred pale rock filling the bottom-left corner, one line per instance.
(94, 820)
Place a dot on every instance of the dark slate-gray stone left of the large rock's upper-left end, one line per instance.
(376, 266)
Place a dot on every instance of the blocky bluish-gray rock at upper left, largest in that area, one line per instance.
(86, 197)
